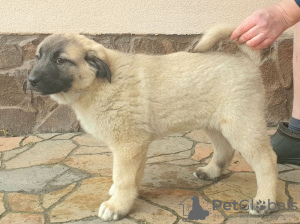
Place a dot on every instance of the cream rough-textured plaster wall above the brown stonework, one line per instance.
(122, 16)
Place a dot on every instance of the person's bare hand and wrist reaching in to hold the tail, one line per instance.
(265, 25)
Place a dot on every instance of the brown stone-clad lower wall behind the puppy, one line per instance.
(23, 112)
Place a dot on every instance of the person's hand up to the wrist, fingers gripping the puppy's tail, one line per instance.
(262, 28)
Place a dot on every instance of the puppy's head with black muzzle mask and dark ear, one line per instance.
(67, 62)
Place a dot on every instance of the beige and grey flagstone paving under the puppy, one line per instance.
(63, 178)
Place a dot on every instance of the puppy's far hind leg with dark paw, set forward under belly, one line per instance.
(223, 153)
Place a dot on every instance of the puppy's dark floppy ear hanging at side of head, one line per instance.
(102, 68)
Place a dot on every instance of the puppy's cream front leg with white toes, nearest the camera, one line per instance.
(128, 169)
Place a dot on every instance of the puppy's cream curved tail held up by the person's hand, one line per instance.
(223, 32)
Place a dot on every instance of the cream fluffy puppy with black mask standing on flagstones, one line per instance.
(129, 100)
